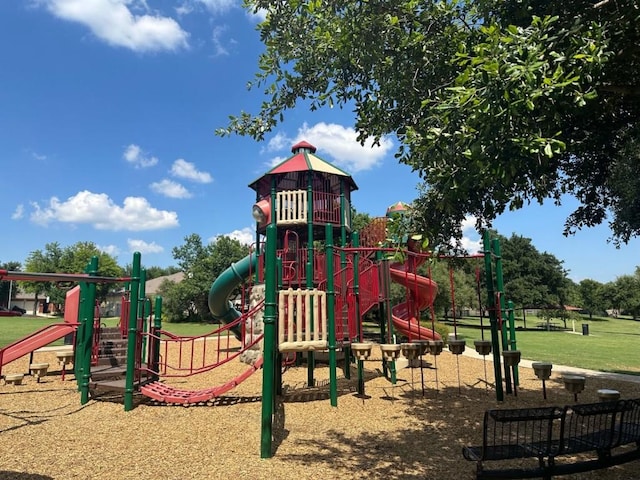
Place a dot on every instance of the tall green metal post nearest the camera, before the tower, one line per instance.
(270, 313)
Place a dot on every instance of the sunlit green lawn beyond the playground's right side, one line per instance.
(612, 344)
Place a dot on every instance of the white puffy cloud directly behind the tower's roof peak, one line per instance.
(342, 145)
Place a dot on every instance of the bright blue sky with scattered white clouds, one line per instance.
(107, 117)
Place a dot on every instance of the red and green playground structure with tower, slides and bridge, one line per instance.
(308, 284)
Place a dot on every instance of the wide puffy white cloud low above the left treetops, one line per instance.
(98, 210)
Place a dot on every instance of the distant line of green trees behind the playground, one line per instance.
(532, 279)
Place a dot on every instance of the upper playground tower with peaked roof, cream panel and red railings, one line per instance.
(301, 196)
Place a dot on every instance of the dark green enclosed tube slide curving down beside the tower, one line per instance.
(219, 305)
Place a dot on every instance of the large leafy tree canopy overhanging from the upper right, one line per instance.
(495, 104)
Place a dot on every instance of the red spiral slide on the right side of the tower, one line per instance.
(423, 292)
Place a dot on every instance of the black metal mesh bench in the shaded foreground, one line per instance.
(573, 439)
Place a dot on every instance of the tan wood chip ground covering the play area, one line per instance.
(395, 432)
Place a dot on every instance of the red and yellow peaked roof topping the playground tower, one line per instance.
(304, 159)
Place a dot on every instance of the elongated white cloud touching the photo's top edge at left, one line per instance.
(114, 22)
